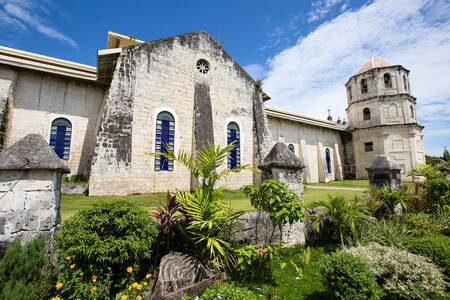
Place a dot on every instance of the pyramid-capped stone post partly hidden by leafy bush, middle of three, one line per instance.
(283, 165)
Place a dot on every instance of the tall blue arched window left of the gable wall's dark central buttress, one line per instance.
(165, 135)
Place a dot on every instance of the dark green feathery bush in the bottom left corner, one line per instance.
(25, 271)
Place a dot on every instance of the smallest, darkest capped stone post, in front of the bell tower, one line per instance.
(383, 171)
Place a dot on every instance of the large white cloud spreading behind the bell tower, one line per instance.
(309, 77)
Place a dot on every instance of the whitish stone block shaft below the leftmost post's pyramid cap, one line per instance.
(30, 204)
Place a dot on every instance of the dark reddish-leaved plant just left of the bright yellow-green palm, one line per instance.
(167, 217)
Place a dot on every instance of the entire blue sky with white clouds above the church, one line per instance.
(303, 50)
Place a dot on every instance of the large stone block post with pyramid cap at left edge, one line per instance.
(30, 190)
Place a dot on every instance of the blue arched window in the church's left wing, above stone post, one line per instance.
(60, 135)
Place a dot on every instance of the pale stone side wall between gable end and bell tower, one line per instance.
(310, 144)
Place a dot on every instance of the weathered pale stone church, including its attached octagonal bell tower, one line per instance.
(183, 92)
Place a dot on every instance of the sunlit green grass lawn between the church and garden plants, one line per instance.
(70, 204)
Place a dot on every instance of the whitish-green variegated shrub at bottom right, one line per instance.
(401, 274)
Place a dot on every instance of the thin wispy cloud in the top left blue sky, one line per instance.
(19, 12)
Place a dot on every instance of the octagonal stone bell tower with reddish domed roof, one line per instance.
(382, 116)
